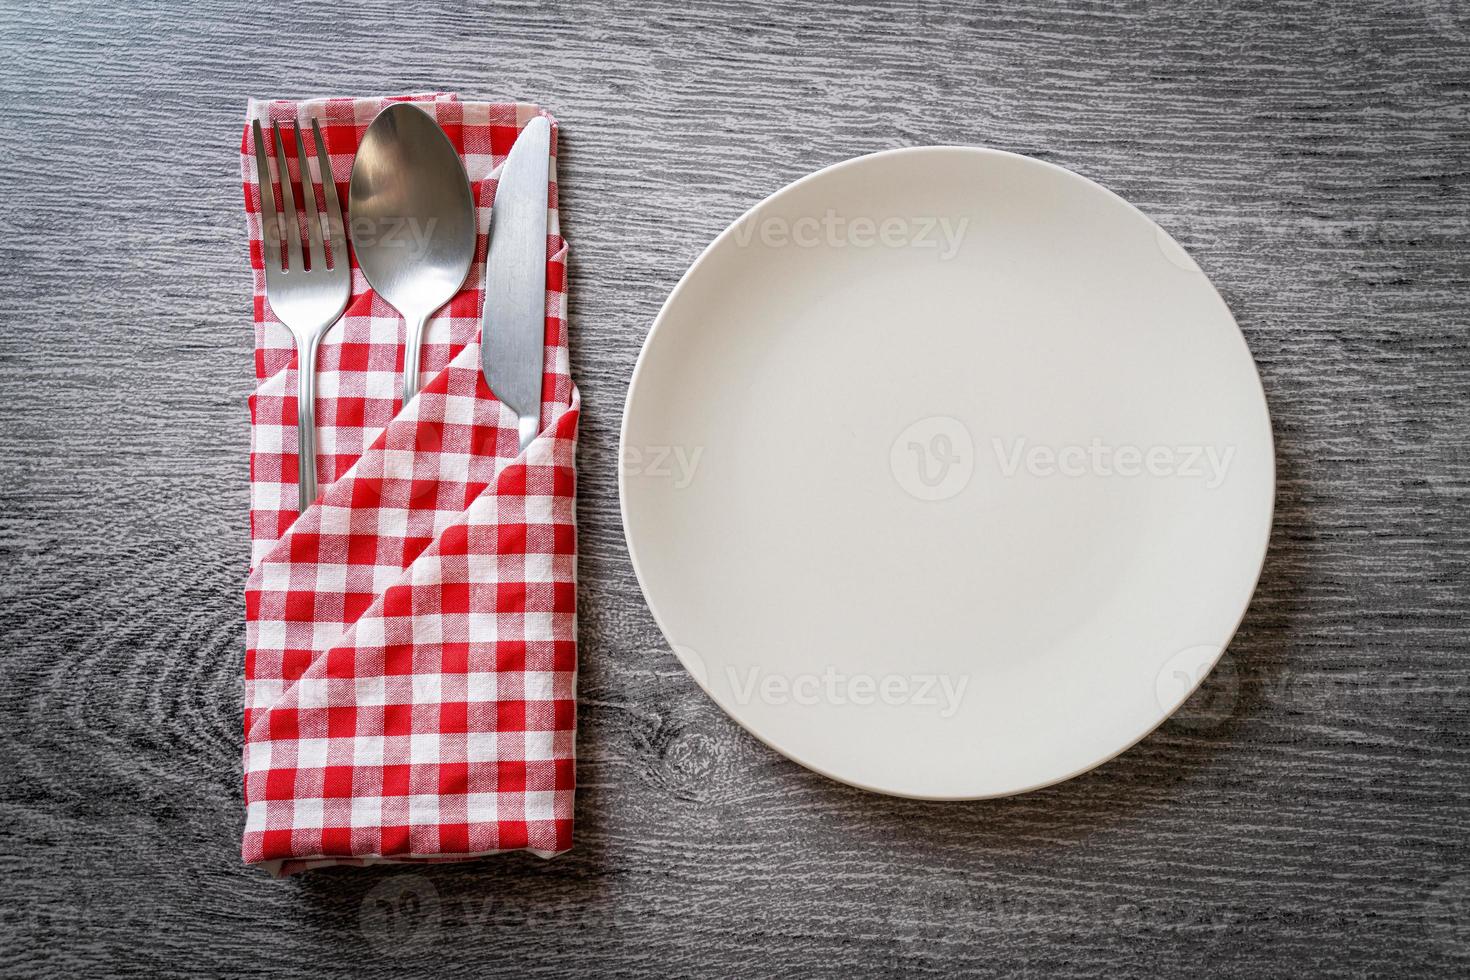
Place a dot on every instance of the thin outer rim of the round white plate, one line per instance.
(659, 323)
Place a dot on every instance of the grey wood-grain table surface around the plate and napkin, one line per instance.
(1308, 813)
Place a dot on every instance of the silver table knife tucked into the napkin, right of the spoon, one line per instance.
(512, 330)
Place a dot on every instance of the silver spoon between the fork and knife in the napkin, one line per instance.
(414, 221)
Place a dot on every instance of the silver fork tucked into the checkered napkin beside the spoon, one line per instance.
(309, 299)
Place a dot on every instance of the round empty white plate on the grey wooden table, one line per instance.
(947, 474)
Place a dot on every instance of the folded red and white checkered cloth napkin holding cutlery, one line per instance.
(411, 672)
